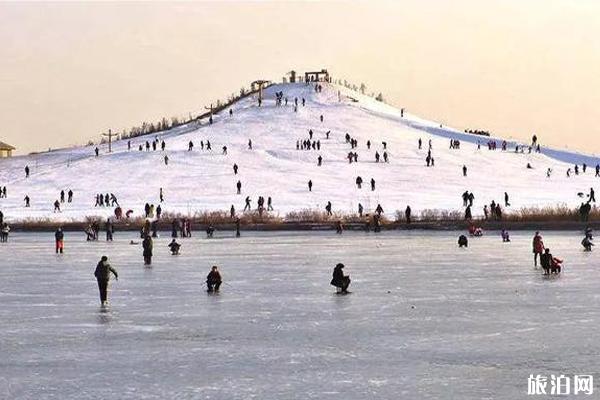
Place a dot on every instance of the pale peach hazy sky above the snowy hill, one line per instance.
(70, 71)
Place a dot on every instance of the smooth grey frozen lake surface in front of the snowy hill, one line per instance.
(425, 319)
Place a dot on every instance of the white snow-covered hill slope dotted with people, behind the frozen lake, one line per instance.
(204, 180)
